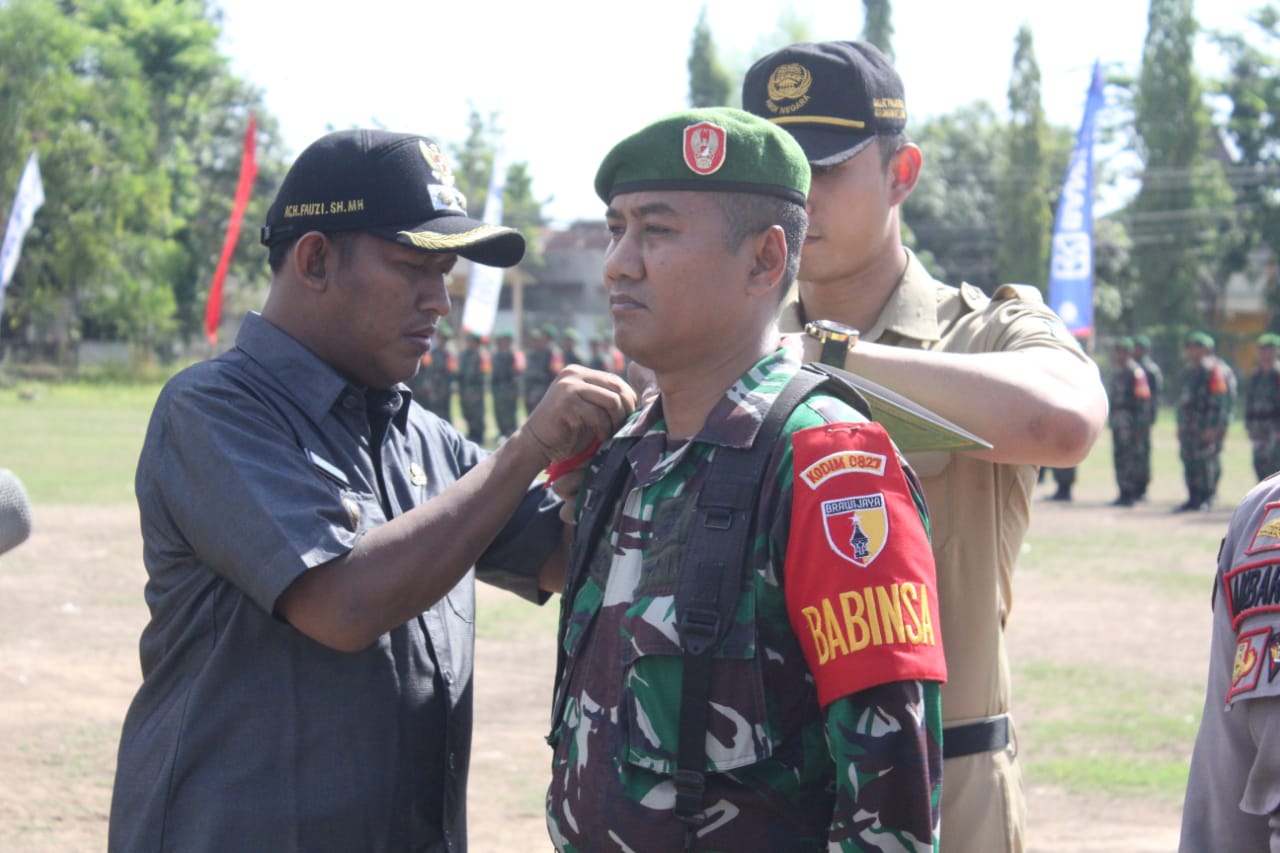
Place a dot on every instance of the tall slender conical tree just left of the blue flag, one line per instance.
(1025, 215)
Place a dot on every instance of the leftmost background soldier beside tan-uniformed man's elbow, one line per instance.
(1130, 396)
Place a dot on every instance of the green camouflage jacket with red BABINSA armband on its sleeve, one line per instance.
(792, 763)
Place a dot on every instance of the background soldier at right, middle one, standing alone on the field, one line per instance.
(1204, 413)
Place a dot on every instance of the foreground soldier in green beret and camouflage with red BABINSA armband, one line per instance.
(822, 731)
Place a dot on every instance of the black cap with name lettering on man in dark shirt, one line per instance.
(397, 186)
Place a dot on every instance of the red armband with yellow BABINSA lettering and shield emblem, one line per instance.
(861, 582)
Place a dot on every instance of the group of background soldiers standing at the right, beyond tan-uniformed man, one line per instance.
(1205, 405)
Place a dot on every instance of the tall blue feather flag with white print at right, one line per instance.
(1071, 270)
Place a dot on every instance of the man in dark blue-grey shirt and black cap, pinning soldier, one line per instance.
(310, 535)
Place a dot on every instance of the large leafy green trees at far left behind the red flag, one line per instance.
(139, 127)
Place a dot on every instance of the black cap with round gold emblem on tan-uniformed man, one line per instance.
(834, 97)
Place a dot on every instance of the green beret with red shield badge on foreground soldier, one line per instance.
(707, 150)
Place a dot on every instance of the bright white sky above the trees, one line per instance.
(572, 79)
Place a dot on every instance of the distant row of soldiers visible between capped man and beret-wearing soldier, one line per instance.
(504, 373)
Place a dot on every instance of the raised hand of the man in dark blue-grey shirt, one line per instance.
(582, 407)
